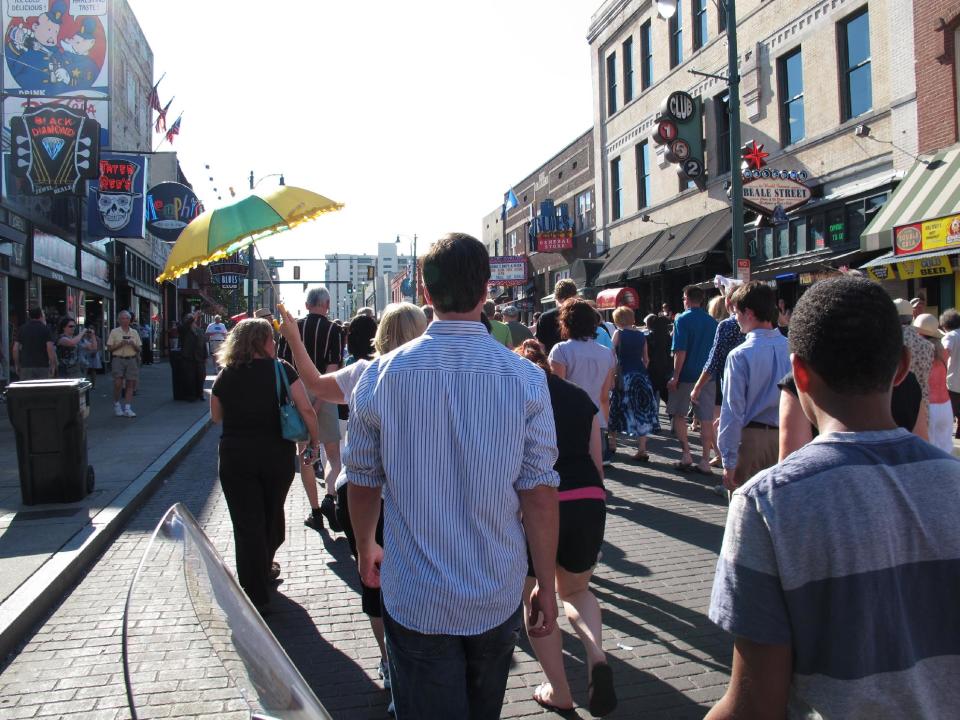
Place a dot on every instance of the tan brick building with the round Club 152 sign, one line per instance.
(811, 74)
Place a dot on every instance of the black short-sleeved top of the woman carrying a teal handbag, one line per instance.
(248, 396)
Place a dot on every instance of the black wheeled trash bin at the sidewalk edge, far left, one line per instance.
(49, 418)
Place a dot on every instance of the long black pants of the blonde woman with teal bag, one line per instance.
(255, 477)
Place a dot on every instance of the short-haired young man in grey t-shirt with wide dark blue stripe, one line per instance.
(839, 575)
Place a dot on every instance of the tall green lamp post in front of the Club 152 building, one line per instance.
(666, 9)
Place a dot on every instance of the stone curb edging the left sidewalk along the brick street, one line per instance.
(42, 590)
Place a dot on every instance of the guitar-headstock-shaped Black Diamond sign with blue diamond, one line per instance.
(55, 148)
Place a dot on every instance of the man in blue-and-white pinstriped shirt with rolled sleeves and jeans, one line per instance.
(462, 496)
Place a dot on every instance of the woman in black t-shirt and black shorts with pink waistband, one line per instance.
(582, 519)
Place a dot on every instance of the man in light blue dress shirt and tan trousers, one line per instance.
(749, 417)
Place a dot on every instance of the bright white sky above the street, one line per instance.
(418, 116)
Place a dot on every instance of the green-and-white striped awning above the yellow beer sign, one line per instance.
(930, 190)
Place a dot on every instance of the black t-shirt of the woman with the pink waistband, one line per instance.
(573, 412)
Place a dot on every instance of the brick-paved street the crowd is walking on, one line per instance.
(663, 533)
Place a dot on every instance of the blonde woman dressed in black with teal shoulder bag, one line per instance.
(256, 463)
